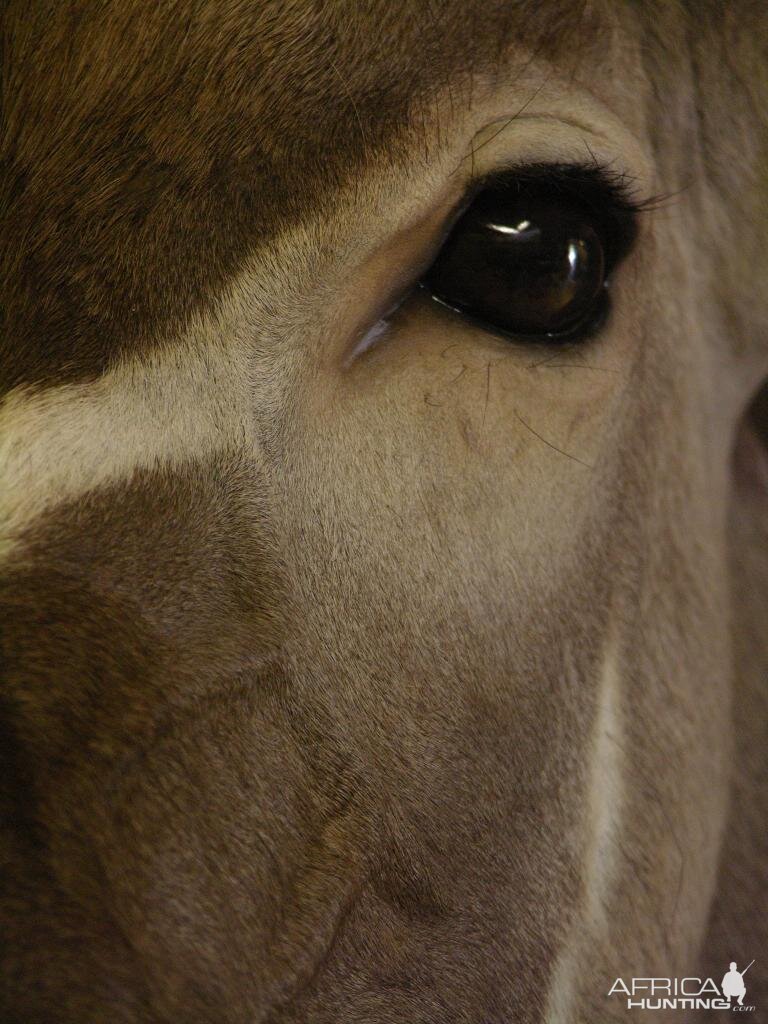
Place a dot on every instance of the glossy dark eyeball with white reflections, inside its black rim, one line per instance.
(527, 265)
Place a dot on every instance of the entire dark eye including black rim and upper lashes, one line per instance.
(531, 259)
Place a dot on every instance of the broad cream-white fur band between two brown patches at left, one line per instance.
(60, 443)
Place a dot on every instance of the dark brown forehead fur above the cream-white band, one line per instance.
(149, 148)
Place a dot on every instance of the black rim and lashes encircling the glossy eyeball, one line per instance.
(608, 197)
